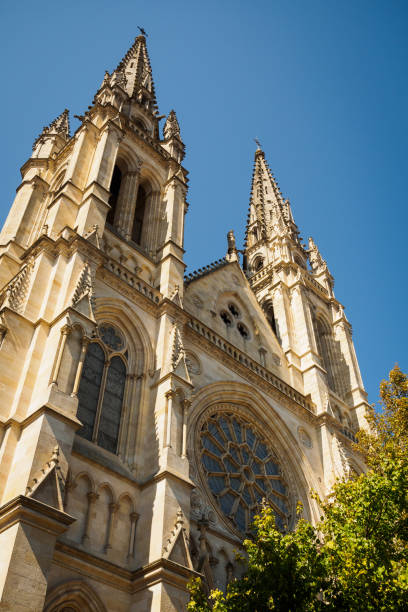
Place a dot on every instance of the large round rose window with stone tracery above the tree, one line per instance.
(241, 469)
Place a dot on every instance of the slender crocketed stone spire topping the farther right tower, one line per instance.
(269, 214)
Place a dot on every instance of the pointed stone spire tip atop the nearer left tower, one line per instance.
(136, 74)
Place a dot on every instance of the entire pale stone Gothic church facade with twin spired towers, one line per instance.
(145, 415)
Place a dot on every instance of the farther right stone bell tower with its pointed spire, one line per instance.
(293, 285)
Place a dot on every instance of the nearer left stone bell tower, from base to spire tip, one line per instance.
(91, 257)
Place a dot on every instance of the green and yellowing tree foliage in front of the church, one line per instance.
(356, 558)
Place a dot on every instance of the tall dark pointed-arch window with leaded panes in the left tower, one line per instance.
(102, 388)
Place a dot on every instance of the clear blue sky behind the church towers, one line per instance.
(322, 84)
